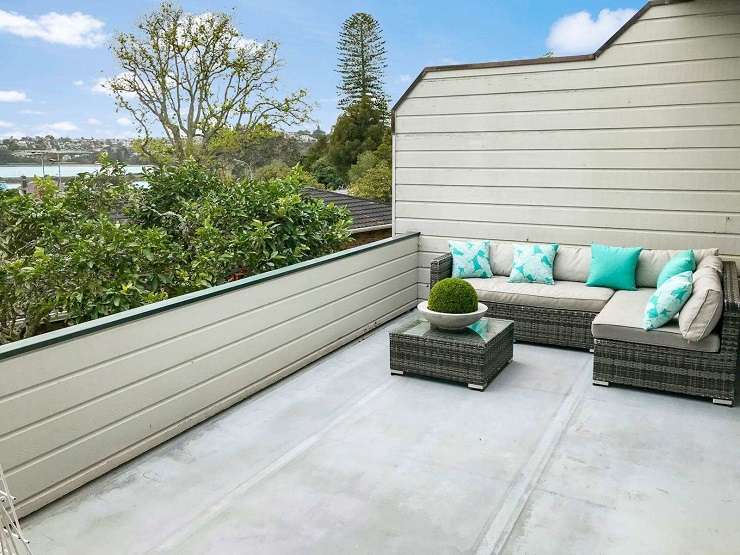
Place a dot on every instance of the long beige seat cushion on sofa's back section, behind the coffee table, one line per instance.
(568, 295)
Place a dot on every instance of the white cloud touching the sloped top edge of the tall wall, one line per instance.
(579, 33)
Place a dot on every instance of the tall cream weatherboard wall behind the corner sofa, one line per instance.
(638, 147)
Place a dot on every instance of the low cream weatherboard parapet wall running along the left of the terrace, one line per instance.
(74, 409)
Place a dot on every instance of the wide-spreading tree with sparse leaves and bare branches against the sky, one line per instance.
(196, 75)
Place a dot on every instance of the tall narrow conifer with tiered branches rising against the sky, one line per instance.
(362, 62)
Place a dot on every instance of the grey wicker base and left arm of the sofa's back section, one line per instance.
(550, 326)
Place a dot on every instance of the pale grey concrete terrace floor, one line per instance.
(344, 458)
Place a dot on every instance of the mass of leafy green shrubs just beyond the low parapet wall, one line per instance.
(104, 245)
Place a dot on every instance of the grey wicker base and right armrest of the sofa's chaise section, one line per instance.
(679, 370)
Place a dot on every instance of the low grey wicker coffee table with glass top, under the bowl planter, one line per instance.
(473, 356)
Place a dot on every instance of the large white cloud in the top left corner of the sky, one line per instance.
(74, 29)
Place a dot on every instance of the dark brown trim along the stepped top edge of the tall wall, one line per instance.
(532, 61)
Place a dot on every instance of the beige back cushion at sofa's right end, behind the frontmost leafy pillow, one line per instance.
(701, 313)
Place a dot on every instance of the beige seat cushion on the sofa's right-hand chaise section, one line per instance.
(621, 320)
